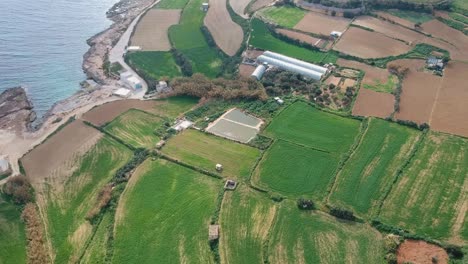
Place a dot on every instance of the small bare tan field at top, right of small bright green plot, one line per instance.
(322, 24)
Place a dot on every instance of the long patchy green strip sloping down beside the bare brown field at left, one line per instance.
(66, 210)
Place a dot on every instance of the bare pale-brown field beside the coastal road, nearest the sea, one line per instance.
(151, 32)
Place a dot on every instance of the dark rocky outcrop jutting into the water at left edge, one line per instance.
(16, 112)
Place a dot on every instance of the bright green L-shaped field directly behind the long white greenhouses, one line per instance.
(262, 38)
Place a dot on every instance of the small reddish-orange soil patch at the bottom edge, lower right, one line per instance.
(420, 252)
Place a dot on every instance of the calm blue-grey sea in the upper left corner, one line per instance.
(42, 43)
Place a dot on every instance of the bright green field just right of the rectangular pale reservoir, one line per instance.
(304, 124)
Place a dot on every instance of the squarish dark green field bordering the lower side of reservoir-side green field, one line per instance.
(306, 171)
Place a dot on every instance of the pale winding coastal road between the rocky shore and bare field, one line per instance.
(117, 52)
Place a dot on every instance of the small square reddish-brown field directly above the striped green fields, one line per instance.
(371, 103)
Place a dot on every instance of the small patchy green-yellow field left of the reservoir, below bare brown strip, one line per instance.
(136, 128)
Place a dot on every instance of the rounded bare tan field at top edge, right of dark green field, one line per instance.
(227, 34)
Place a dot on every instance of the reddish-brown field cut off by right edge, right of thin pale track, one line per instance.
(450, 112)
